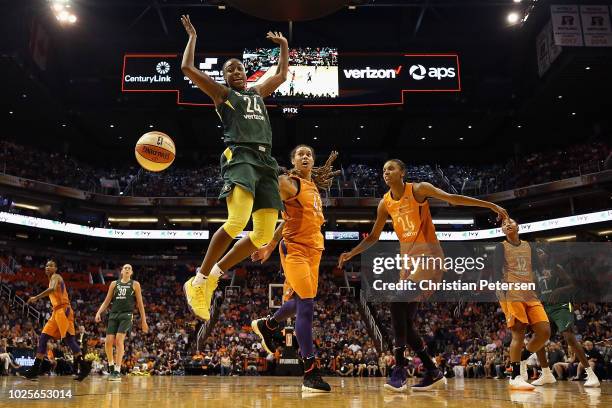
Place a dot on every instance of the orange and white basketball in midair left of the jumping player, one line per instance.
(155, 151)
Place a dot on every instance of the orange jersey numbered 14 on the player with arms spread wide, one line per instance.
(411, 220)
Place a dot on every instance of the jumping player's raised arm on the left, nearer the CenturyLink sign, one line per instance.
(217, 92)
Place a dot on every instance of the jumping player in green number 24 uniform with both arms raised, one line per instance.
(249, 171)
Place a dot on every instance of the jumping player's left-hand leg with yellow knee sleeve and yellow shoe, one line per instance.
(200, 288)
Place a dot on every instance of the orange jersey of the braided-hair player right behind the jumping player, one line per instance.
(303, 216)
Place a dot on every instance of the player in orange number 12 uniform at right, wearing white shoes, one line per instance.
(515, 262)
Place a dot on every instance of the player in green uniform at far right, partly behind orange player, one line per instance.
(556, 285)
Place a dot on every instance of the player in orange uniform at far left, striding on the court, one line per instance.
(59, 326)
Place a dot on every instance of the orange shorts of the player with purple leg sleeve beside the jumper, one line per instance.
(301, 268)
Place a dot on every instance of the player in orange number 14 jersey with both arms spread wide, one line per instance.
(407, 205)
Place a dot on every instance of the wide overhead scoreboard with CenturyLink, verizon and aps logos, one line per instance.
(317, 77)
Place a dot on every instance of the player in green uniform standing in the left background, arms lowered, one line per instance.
(123, 293)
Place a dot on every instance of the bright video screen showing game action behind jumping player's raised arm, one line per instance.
(313, 72)
